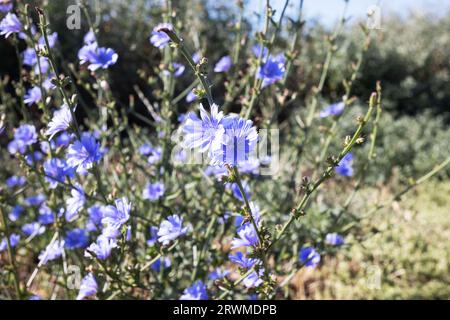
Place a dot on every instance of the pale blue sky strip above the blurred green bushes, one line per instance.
(329, 11)
